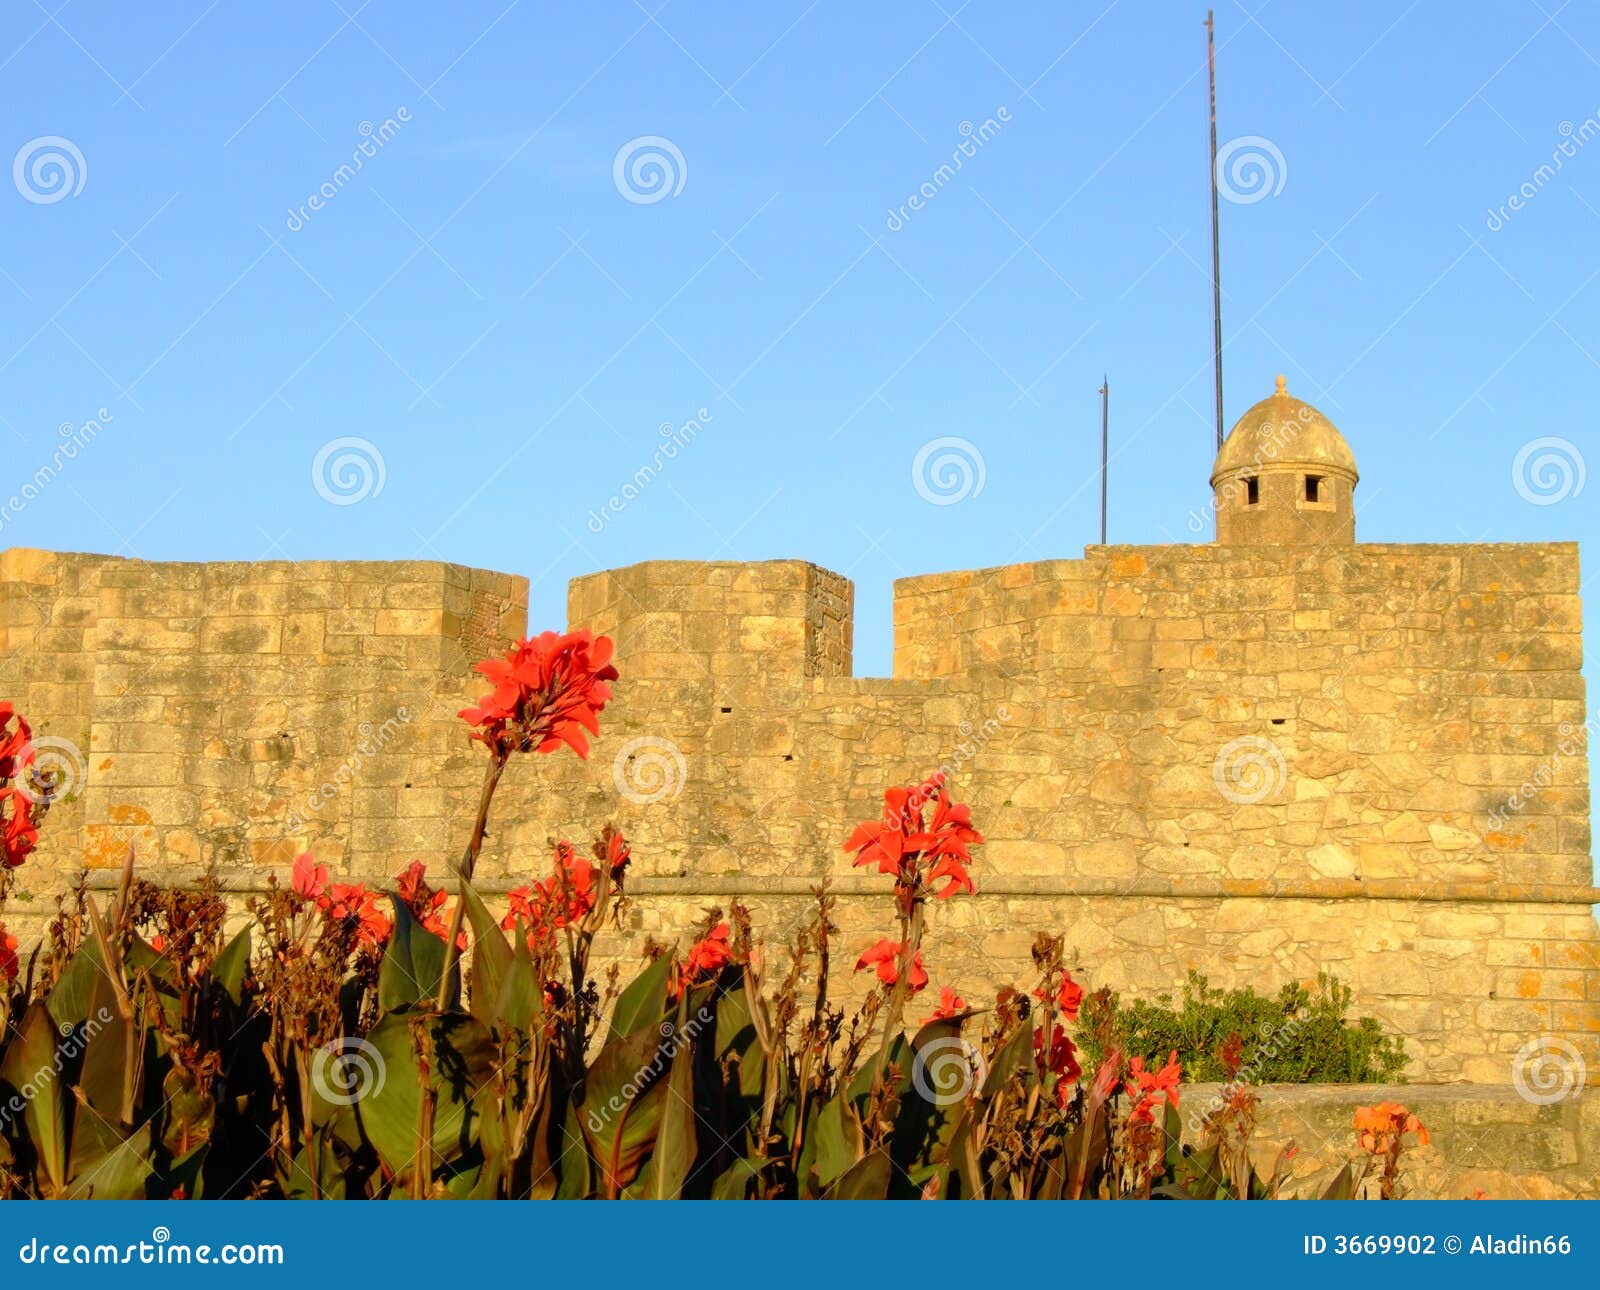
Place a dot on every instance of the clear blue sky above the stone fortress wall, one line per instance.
(484, 306)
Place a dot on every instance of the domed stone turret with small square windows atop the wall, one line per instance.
(1284, 478)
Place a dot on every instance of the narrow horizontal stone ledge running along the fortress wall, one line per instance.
(247, 881)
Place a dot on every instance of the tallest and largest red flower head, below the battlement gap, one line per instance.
(548, 692)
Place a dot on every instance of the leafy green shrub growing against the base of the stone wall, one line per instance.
(1298, 1036)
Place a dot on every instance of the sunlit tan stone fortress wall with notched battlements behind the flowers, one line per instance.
(1382, 707)
